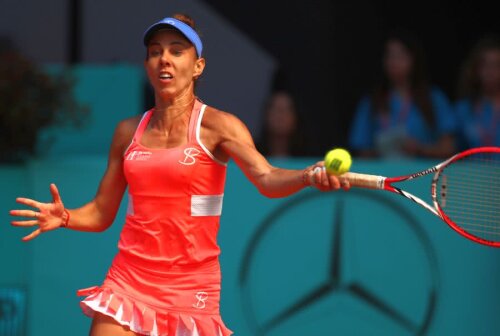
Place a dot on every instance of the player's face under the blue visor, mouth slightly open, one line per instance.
(172, 64)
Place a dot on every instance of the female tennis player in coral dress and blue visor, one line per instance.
(165, 279)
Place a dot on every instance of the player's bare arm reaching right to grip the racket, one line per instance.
(235, 141)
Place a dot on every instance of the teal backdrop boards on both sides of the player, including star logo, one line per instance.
(344, 263)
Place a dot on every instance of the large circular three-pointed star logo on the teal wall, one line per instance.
(348, 275)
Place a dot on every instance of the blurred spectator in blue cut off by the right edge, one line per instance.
(479, 106)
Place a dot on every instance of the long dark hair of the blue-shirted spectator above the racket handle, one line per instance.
(419, 83)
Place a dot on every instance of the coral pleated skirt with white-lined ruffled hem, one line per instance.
(156, 301)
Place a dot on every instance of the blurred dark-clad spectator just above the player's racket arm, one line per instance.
(281, 135)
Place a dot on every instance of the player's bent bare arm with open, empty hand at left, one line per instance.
(98, 214)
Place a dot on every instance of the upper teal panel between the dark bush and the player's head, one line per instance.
(112, 93)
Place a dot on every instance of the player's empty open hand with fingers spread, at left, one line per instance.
(49, 216)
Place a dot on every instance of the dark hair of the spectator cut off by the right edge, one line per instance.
(469, 84)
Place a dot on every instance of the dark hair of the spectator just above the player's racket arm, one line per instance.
(297, 145)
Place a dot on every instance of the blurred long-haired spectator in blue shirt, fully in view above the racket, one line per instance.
(404, 116)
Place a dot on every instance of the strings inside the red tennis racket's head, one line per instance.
(469, 194)
